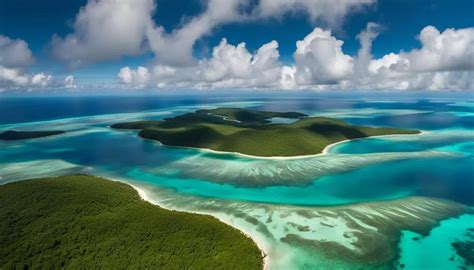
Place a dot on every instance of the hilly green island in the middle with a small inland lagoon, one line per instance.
(252, 132)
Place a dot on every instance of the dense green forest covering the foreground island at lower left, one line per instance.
(84, 222)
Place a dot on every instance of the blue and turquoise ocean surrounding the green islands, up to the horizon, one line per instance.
(356, 187)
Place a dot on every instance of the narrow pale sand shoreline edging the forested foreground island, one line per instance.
(143, 195)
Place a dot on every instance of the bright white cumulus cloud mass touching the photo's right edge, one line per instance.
(444, 61)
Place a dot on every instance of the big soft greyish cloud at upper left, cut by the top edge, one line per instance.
(105, 30)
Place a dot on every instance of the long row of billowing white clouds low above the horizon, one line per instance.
(444, 61)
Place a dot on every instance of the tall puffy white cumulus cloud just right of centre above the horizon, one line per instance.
(319, 59)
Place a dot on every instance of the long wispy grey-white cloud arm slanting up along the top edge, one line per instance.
(175, 48)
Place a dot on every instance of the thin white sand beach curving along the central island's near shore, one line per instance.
(323, 152)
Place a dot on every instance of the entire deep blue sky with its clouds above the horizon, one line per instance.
(163, 45)
